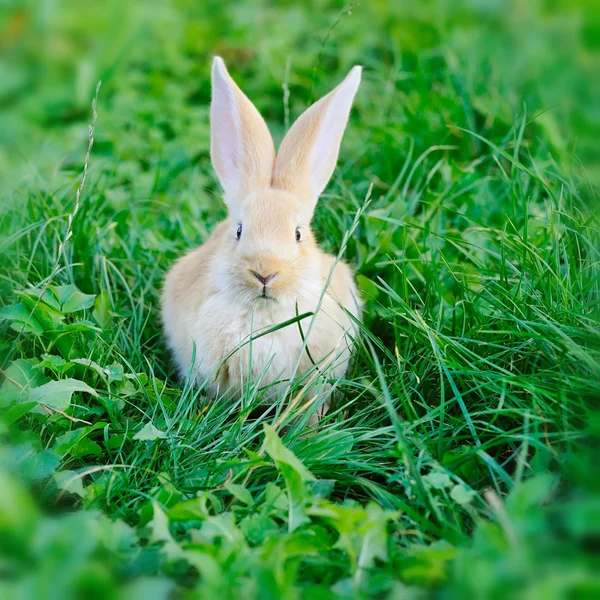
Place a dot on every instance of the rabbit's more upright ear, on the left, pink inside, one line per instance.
(241, 146)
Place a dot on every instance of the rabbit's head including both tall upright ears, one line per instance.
(269, 252)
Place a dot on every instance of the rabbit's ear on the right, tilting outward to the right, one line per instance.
(308, 154)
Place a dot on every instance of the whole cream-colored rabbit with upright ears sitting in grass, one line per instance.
(262, 267)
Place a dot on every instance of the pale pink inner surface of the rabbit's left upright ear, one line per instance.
(225, 134)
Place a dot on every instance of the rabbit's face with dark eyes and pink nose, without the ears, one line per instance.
(270, 249)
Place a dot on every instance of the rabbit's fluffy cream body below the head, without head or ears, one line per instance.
(205, 316)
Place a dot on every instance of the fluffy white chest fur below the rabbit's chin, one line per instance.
(235, 348)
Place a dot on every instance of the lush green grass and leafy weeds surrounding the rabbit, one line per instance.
(459, 457)
